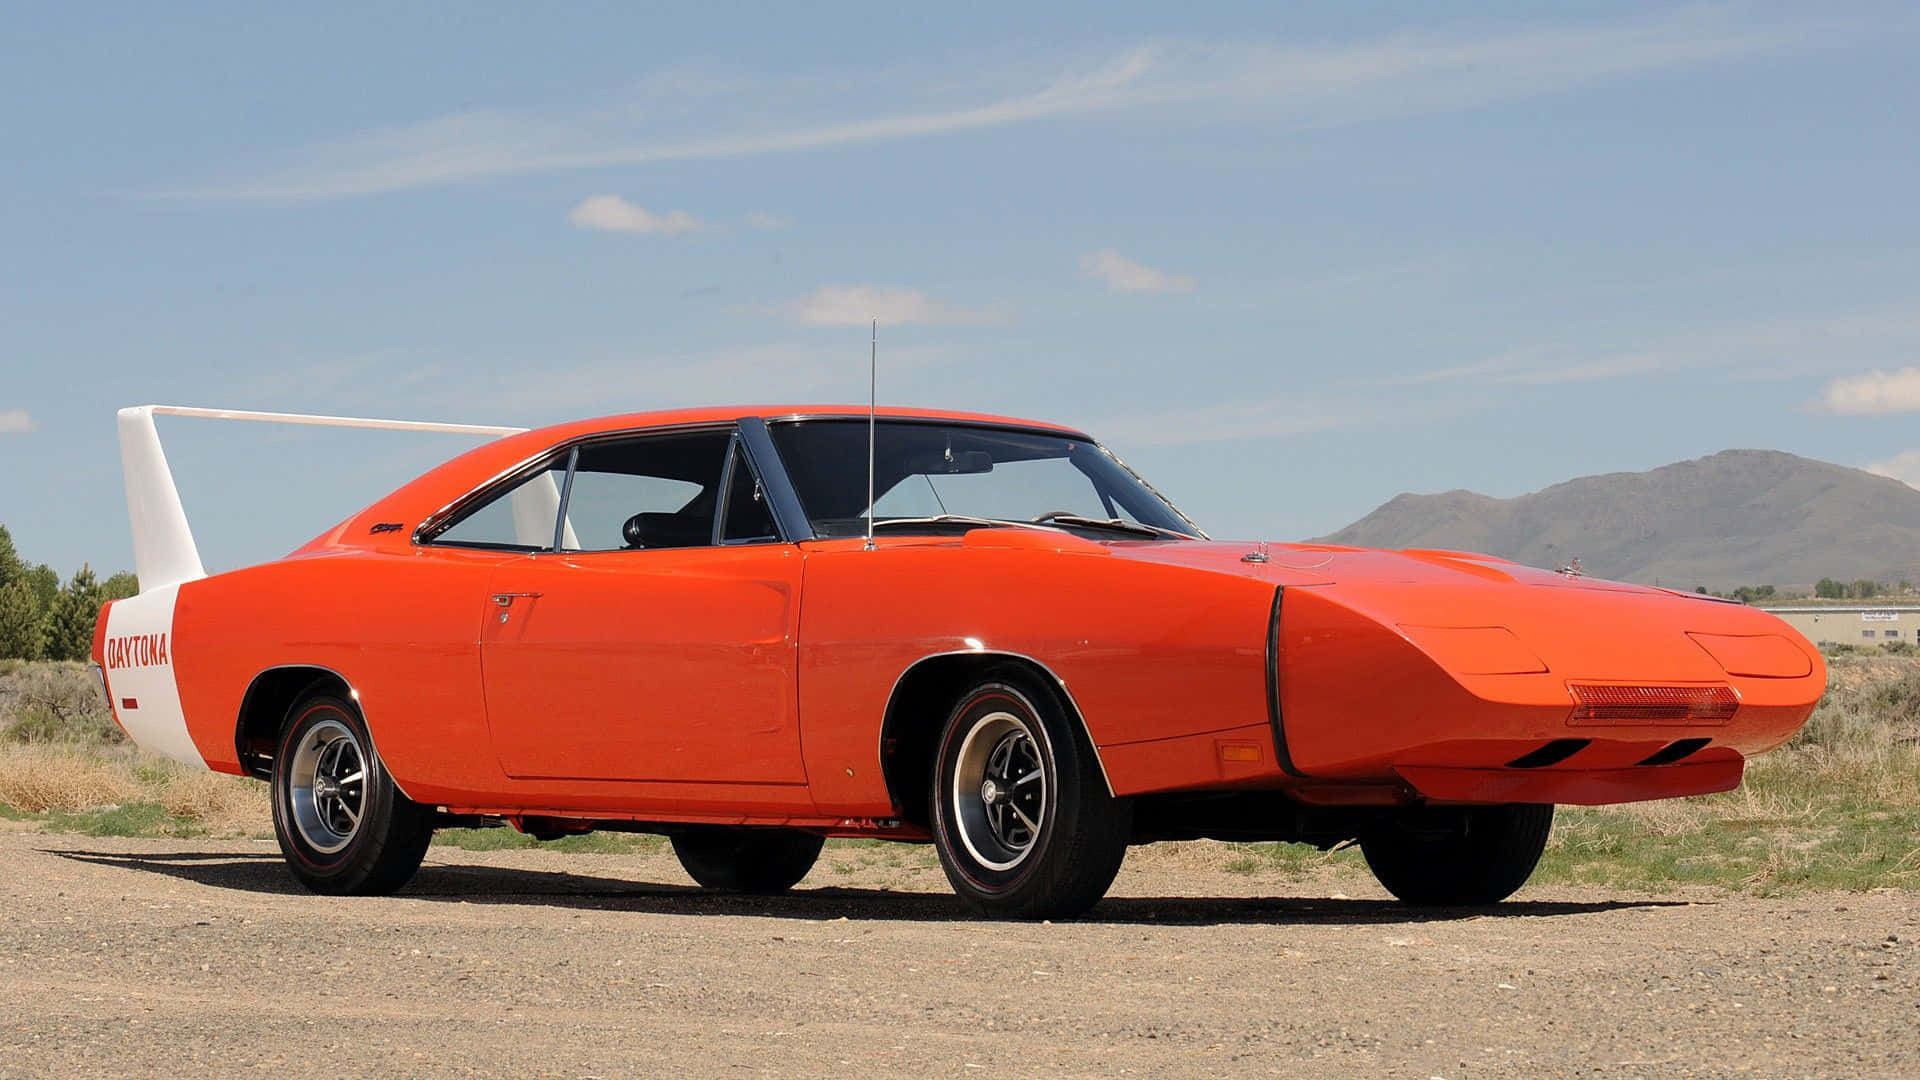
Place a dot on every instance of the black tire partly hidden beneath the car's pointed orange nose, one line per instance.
(1466, 856)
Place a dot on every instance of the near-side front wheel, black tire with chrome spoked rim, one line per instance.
(1022, 818)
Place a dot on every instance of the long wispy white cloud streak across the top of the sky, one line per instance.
(692, 114)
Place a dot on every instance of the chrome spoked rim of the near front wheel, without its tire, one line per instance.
(999, 791)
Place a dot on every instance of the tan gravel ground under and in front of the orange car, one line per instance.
(189, 956)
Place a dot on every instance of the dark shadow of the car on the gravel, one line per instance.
(452, 883)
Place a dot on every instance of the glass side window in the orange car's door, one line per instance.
(658, 491)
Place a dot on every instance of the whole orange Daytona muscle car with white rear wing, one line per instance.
(752, 629)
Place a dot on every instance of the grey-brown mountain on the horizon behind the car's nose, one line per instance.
(1735, 518)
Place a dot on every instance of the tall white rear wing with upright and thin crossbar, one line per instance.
(164, 552)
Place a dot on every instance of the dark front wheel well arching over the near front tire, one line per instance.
(919, 708)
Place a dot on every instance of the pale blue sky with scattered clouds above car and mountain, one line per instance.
(1287, 260)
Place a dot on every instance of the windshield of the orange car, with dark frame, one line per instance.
(936, 478)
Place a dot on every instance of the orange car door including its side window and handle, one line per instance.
(656, 639)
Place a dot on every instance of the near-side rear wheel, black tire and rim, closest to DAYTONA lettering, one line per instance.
(327, 847)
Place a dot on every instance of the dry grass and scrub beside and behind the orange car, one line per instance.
(1836, 808)
